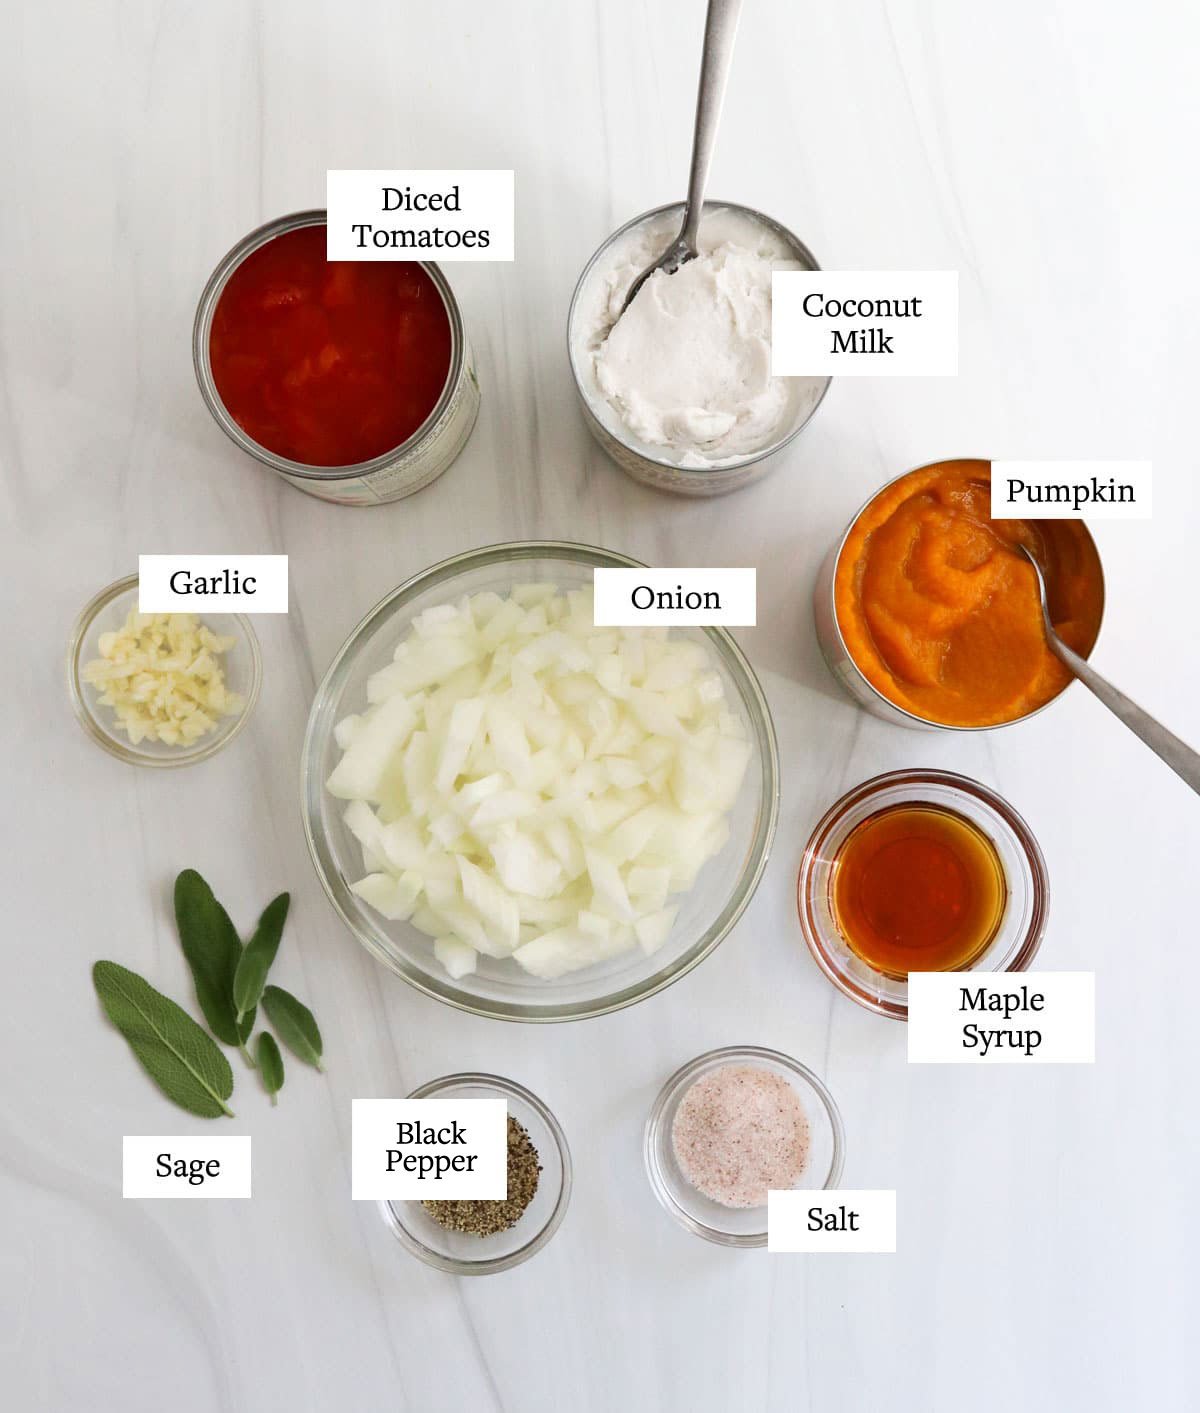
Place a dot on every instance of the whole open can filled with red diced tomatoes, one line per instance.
(354, 381)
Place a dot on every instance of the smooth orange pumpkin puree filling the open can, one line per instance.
(939, 608)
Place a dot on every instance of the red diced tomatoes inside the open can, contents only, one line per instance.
(329, 364)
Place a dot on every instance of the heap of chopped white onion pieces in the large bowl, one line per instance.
(527, 785)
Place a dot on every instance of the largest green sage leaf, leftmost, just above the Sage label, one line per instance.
(177, 1053)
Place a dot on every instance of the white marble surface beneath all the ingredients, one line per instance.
(1048, 1217)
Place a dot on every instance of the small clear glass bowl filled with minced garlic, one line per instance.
(160, 689)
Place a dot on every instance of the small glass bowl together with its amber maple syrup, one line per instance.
(921, 871)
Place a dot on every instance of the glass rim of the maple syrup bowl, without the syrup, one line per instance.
(1040, 887)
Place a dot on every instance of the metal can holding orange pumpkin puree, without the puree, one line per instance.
(836, 651)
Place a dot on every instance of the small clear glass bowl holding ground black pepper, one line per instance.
(481, 1238)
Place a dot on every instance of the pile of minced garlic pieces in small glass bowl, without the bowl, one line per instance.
(162, 675)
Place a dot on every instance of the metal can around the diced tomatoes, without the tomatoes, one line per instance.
(391, 474)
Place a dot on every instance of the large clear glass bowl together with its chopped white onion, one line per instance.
(524, 815)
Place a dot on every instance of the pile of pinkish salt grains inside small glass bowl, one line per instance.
(739, 1134)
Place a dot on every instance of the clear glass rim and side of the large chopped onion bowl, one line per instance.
(760, 723)
